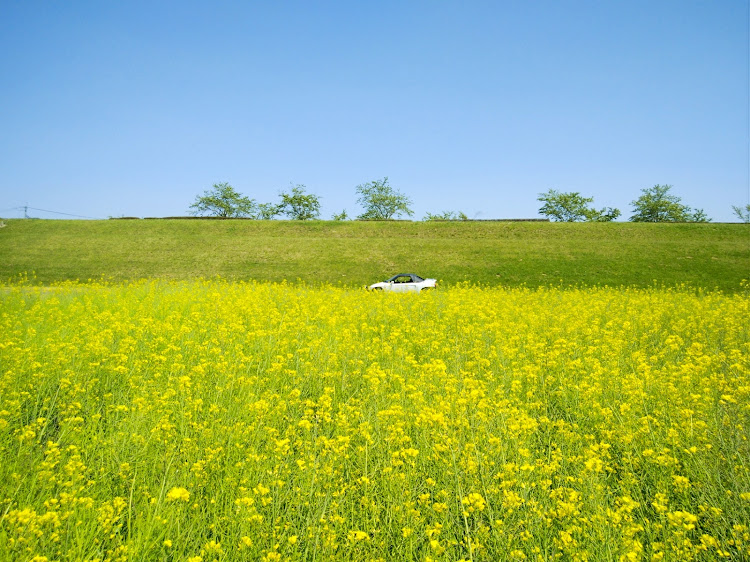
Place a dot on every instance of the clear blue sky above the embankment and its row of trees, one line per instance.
(134, 108)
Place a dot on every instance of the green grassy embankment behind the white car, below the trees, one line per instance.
(358, 253)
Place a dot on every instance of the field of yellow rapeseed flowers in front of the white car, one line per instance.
(209, 420)
